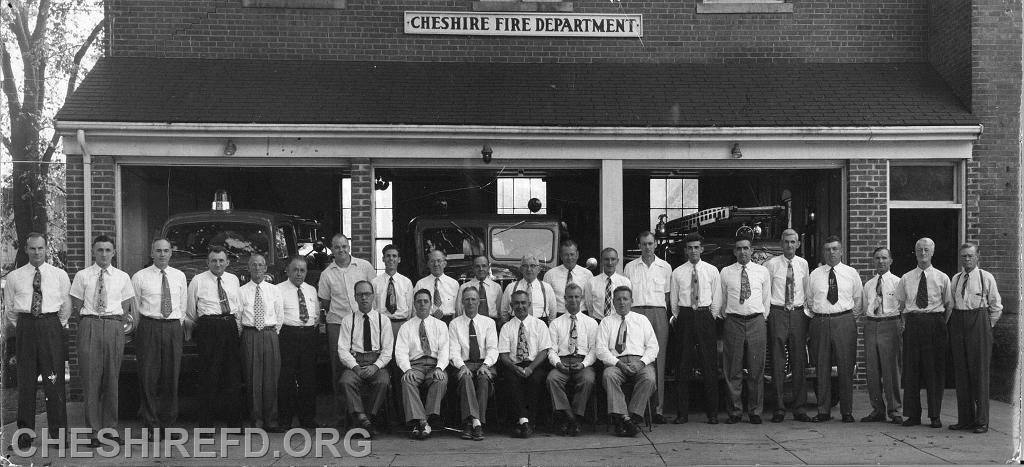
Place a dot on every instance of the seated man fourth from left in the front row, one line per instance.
(523, 348)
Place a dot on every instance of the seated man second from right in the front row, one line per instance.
(574, 339)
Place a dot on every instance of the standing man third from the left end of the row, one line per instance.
(163, 293)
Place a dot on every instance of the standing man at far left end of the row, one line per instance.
(38, 308)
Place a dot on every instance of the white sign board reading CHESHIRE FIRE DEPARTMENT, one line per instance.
(498, 24)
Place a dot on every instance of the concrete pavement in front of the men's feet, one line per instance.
(786, 444)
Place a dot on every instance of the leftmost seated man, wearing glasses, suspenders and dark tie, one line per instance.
(365, 347)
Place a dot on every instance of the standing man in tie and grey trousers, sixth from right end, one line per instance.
(746, 301)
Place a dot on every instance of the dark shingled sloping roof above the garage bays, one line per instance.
(184, 91)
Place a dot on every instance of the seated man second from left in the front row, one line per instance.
(422, 354)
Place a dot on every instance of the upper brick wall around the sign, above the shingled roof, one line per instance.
(817, 31)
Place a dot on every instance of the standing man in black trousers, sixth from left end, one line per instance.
(301, 315)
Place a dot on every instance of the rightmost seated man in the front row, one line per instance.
(627, 346)
